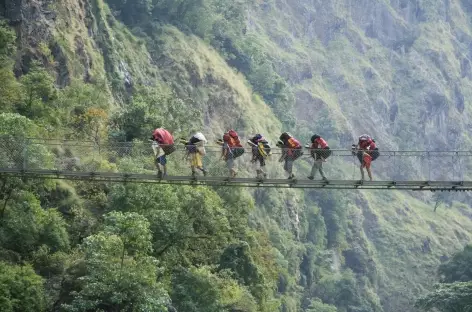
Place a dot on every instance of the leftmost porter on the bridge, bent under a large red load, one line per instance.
(162, 145)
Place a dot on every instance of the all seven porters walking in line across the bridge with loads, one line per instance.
(163, 145)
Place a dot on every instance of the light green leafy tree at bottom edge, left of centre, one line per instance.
(119, 273)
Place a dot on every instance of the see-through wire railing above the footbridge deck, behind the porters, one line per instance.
(137, 157)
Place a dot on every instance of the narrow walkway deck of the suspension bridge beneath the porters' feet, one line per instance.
(241, 182)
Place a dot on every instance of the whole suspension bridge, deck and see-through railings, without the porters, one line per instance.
(134, 162)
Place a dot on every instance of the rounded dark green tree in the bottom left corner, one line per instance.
(21, 289)
